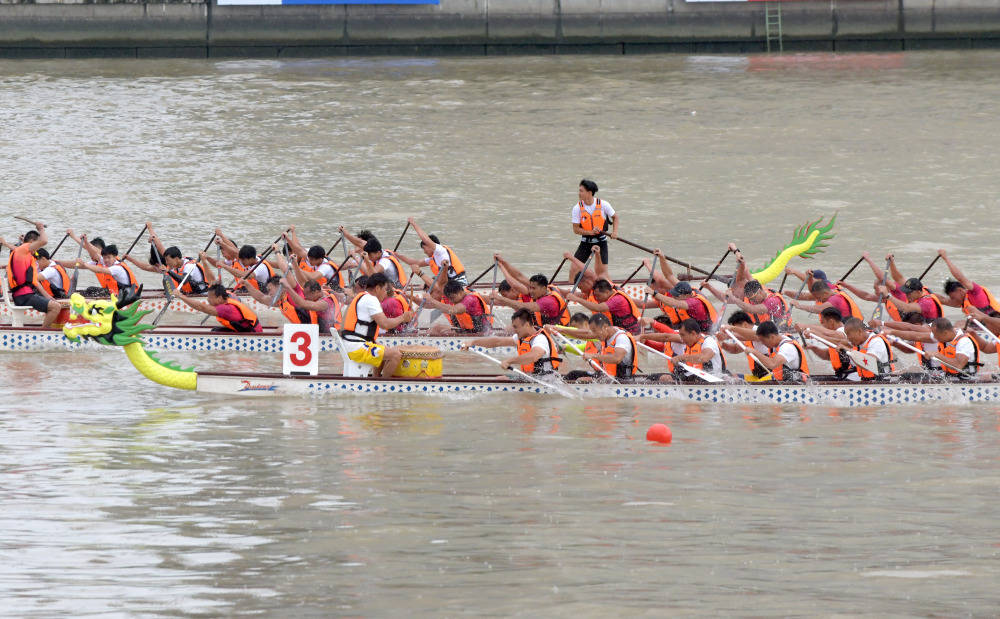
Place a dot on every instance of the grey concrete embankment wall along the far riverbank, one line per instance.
(477, 27)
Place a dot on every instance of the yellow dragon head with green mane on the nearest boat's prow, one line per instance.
(112, 323)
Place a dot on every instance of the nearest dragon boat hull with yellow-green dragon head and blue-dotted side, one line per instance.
(117, 323)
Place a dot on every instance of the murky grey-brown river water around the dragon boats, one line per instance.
(121, 497)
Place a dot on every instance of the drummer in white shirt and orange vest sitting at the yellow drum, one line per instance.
(363, 318)
